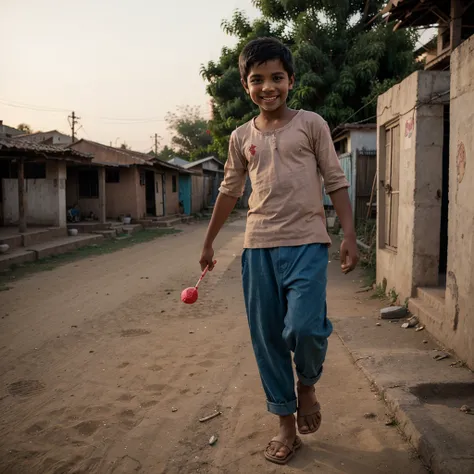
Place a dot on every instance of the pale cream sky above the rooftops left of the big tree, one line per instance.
(108, 60)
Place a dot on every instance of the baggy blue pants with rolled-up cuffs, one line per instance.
(285, 298)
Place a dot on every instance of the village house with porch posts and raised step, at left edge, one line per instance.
(33, 221)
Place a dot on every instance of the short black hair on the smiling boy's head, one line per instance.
(261, 50)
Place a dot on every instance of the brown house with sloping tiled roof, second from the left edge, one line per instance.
(123, 183)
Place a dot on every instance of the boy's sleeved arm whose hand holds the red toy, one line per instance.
(232, 187)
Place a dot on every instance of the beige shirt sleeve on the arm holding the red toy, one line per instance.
(235, 170)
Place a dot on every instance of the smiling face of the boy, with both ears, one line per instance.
(268, 85)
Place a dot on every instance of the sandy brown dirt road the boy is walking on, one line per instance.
(104, 371)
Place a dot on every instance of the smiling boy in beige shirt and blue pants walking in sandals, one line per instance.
(285, 256)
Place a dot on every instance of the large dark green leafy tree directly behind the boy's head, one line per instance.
(343, 60)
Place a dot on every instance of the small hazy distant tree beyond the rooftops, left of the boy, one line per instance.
(191, 134)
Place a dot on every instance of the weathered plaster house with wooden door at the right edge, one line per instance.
(426, 179)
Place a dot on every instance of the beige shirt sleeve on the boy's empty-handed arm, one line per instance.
(328, 161)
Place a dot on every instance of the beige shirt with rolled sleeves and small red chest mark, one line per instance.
(286, 168)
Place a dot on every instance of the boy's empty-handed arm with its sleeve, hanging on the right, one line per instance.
(336, 186)
